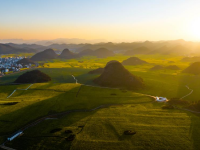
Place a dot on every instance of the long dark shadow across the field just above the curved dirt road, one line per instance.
(62, 102)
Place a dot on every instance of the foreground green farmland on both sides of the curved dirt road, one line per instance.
(103, 129)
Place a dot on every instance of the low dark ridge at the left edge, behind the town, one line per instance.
(7, 49)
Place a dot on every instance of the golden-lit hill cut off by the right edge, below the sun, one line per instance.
(194, 68)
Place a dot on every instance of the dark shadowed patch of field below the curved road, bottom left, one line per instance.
(39, 136)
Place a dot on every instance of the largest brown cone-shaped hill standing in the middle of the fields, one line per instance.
(115, 75)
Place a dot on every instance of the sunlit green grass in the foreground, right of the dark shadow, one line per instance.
(156, 129)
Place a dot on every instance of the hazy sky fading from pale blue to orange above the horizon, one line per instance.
(125, 20)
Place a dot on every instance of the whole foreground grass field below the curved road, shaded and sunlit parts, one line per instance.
(103, 129)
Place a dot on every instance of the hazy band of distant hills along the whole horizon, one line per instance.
(179, 47)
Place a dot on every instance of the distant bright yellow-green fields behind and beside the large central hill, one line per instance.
(168, 83)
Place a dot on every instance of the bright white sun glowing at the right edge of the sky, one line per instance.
(194, 28)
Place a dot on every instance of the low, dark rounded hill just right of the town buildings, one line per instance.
(35, 76)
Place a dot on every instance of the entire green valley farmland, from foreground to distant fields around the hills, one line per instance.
(156, 128)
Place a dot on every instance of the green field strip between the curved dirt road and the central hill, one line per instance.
(45, 99)
